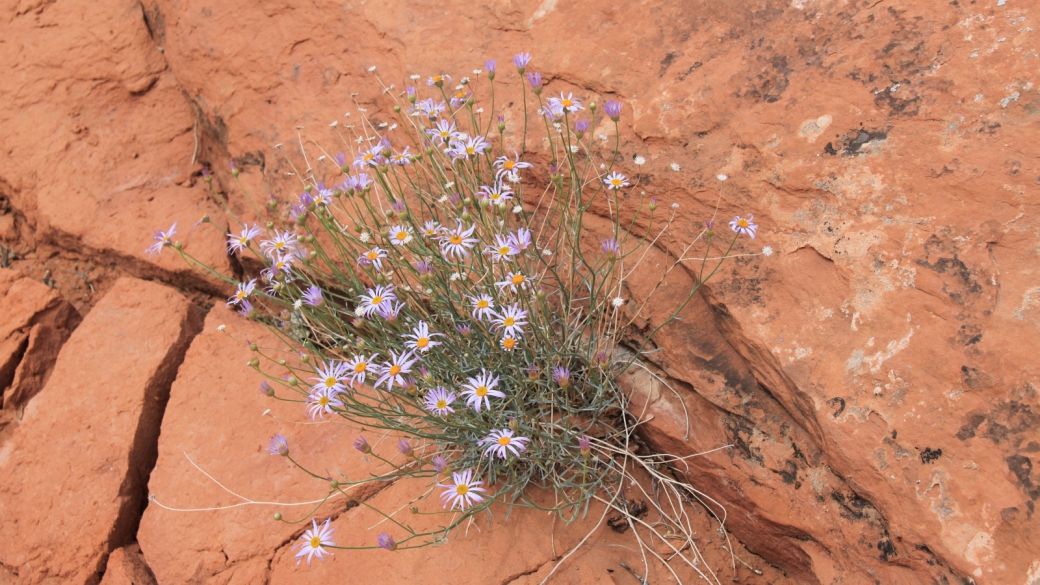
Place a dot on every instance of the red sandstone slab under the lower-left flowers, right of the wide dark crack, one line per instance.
(218, 418)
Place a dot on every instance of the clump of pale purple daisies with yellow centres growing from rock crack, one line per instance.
(444, 297)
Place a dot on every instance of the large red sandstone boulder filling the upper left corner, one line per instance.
(115, 114)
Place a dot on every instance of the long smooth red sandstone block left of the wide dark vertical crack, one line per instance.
(75, 466)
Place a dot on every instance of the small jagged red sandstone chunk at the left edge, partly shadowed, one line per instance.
(36, 322)
